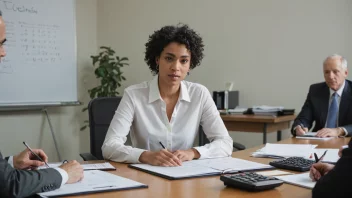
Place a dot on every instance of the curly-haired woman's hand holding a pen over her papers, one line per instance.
(160, 158)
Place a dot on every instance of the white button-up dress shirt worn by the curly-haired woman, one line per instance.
(142, 113)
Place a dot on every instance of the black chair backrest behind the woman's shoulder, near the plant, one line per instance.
(101, 111)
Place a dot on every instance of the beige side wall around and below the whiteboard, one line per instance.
(33, 127)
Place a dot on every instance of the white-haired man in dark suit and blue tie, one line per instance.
(328, 104)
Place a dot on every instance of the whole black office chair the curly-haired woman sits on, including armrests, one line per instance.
(101, 111)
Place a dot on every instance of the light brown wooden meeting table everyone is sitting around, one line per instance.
(208, 186)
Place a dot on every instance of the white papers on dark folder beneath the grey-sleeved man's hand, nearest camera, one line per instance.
(95, 181)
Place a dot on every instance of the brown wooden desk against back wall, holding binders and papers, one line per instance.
(258, 124)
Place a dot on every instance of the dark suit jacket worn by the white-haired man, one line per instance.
(315, 108)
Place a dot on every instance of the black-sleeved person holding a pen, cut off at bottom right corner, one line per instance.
(333, 181)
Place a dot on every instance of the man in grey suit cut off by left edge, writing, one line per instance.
(16, 180)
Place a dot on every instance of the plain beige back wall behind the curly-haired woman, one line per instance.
(272, 50)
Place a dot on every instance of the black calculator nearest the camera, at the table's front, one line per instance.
(250, 181)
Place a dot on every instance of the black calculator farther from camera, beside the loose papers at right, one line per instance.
(293, 163)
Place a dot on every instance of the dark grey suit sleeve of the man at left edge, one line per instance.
(23, 183)
